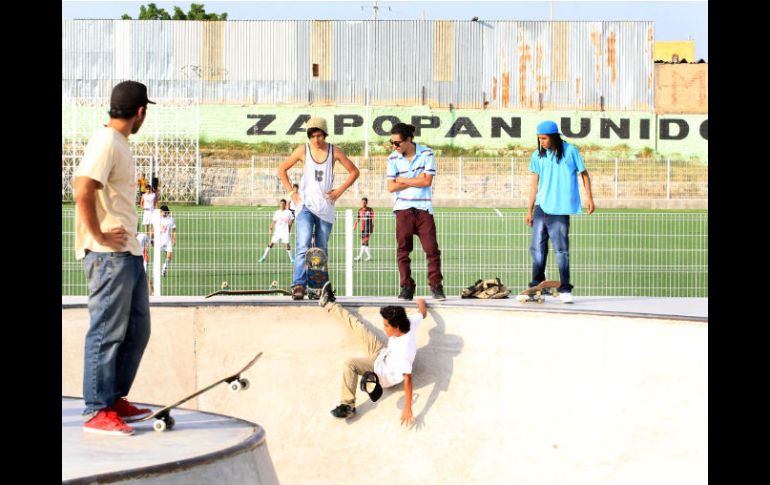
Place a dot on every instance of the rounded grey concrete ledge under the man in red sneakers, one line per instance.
(202, 448)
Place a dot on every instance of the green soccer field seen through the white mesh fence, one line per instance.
(612, 252)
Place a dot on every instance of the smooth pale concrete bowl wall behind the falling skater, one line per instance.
(500, 397)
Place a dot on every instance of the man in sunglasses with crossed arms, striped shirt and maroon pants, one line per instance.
(411, 168)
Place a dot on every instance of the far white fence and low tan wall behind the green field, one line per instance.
(466, 179)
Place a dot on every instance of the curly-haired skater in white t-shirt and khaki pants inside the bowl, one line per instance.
(391, 364)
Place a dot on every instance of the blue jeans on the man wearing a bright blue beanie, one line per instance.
(556, 228)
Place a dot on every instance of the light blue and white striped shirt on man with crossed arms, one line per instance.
(398, 166)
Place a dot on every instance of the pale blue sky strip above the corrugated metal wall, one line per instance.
(683, 20)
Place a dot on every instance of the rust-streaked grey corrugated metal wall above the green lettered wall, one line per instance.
(498, 64)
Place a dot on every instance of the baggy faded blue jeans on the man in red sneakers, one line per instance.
(119, 307)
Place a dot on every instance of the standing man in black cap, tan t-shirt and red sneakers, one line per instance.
(105, 239)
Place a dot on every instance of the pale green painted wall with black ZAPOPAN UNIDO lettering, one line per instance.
(685, 135)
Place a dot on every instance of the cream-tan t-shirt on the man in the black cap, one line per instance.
(108, 160)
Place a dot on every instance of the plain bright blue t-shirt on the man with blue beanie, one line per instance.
(557, 187)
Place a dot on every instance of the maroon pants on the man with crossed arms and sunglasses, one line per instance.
(408, 223)
